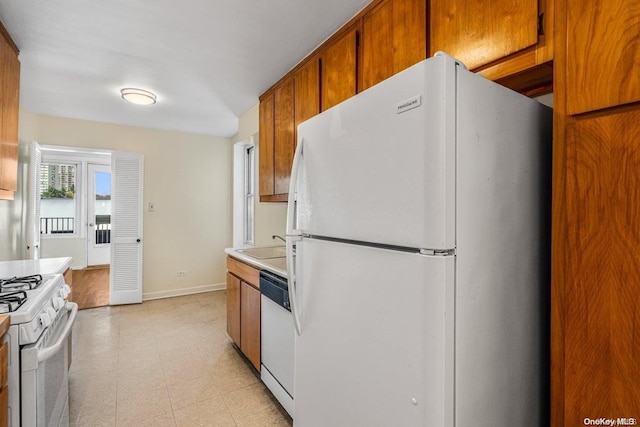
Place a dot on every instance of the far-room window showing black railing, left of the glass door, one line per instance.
(58, 201)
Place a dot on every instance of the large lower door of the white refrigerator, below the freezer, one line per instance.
(372, 349)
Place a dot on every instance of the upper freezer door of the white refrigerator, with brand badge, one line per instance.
(380, 167)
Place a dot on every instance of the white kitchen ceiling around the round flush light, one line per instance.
(206, 60)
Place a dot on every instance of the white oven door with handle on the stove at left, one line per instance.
(45, 374)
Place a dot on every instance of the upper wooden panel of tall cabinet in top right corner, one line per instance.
(602, 65)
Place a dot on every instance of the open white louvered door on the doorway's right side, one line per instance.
(126, 228)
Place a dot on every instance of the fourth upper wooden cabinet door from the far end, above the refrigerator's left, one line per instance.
(339, 69)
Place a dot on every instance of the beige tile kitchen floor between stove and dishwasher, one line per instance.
(167, 362)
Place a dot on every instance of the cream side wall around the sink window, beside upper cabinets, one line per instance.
(270, 218)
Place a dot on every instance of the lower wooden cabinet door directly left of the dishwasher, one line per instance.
(250, 323)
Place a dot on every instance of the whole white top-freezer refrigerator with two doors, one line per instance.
(418, 243)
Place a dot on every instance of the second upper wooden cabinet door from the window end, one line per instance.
(284, 139)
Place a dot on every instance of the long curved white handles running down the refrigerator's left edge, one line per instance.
(293, 235)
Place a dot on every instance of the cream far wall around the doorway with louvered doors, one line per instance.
(187, 177)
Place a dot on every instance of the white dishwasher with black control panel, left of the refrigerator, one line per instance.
(277, 339)
